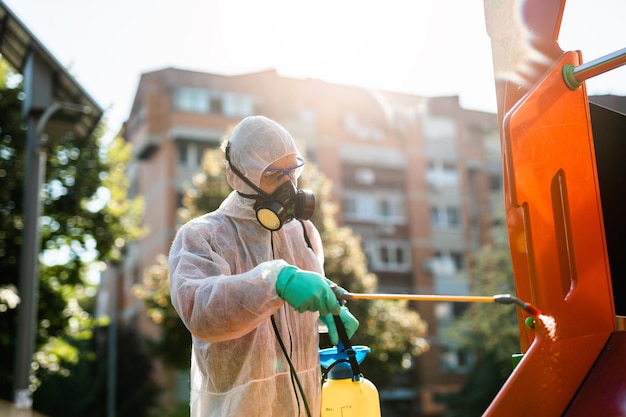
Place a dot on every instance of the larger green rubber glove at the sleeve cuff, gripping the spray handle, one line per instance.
(306, 291)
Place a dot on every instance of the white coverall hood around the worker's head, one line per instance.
(255, 144)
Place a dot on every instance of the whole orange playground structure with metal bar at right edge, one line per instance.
(564, 185)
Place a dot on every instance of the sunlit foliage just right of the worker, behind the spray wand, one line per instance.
(390, 328)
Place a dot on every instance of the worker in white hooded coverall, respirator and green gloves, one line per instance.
(248, 278)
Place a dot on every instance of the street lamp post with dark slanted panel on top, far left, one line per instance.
(48, 88)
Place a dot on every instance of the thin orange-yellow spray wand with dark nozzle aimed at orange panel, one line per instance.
(499, 298)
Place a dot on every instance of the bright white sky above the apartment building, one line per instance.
(422, 47)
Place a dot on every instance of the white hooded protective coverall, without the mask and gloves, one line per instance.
(223, 268)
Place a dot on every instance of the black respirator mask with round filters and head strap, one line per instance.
(283, 205)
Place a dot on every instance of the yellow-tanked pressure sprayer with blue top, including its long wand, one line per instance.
(345, 391)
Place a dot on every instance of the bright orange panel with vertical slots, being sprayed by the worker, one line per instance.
(557, 244)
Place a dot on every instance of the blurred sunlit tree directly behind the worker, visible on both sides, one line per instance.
(389, 328)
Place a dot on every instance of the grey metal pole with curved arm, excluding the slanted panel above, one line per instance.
(31, 246)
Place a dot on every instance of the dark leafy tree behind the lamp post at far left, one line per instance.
(86, 219)
